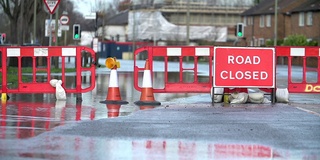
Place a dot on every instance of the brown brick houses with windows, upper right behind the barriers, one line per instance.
(294, 17)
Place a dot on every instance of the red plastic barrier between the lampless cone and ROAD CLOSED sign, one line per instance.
(181, 54)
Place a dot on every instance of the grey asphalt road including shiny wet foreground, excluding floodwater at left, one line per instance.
(182, 131)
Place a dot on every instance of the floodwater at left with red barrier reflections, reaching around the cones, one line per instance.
(27, 115)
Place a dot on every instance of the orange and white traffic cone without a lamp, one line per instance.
(147, 97)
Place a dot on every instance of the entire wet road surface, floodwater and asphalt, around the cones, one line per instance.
(185, 126)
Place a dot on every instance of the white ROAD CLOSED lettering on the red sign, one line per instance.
(239, 75)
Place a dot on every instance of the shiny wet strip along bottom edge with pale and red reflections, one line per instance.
(78, 147)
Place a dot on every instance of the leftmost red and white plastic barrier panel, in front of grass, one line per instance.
(30, 69)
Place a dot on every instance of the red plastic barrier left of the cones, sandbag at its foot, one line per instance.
(37, 53)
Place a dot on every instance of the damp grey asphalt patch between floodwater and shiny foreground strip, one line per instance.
(236, 123)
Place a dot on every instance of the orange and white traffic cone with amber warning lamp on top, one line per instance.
(113, 96)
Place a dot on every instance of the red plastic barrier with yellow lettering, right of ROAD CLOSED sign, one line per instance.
(292, 53)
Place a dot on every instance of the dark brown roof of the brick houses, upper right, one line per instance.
(267, 7)
